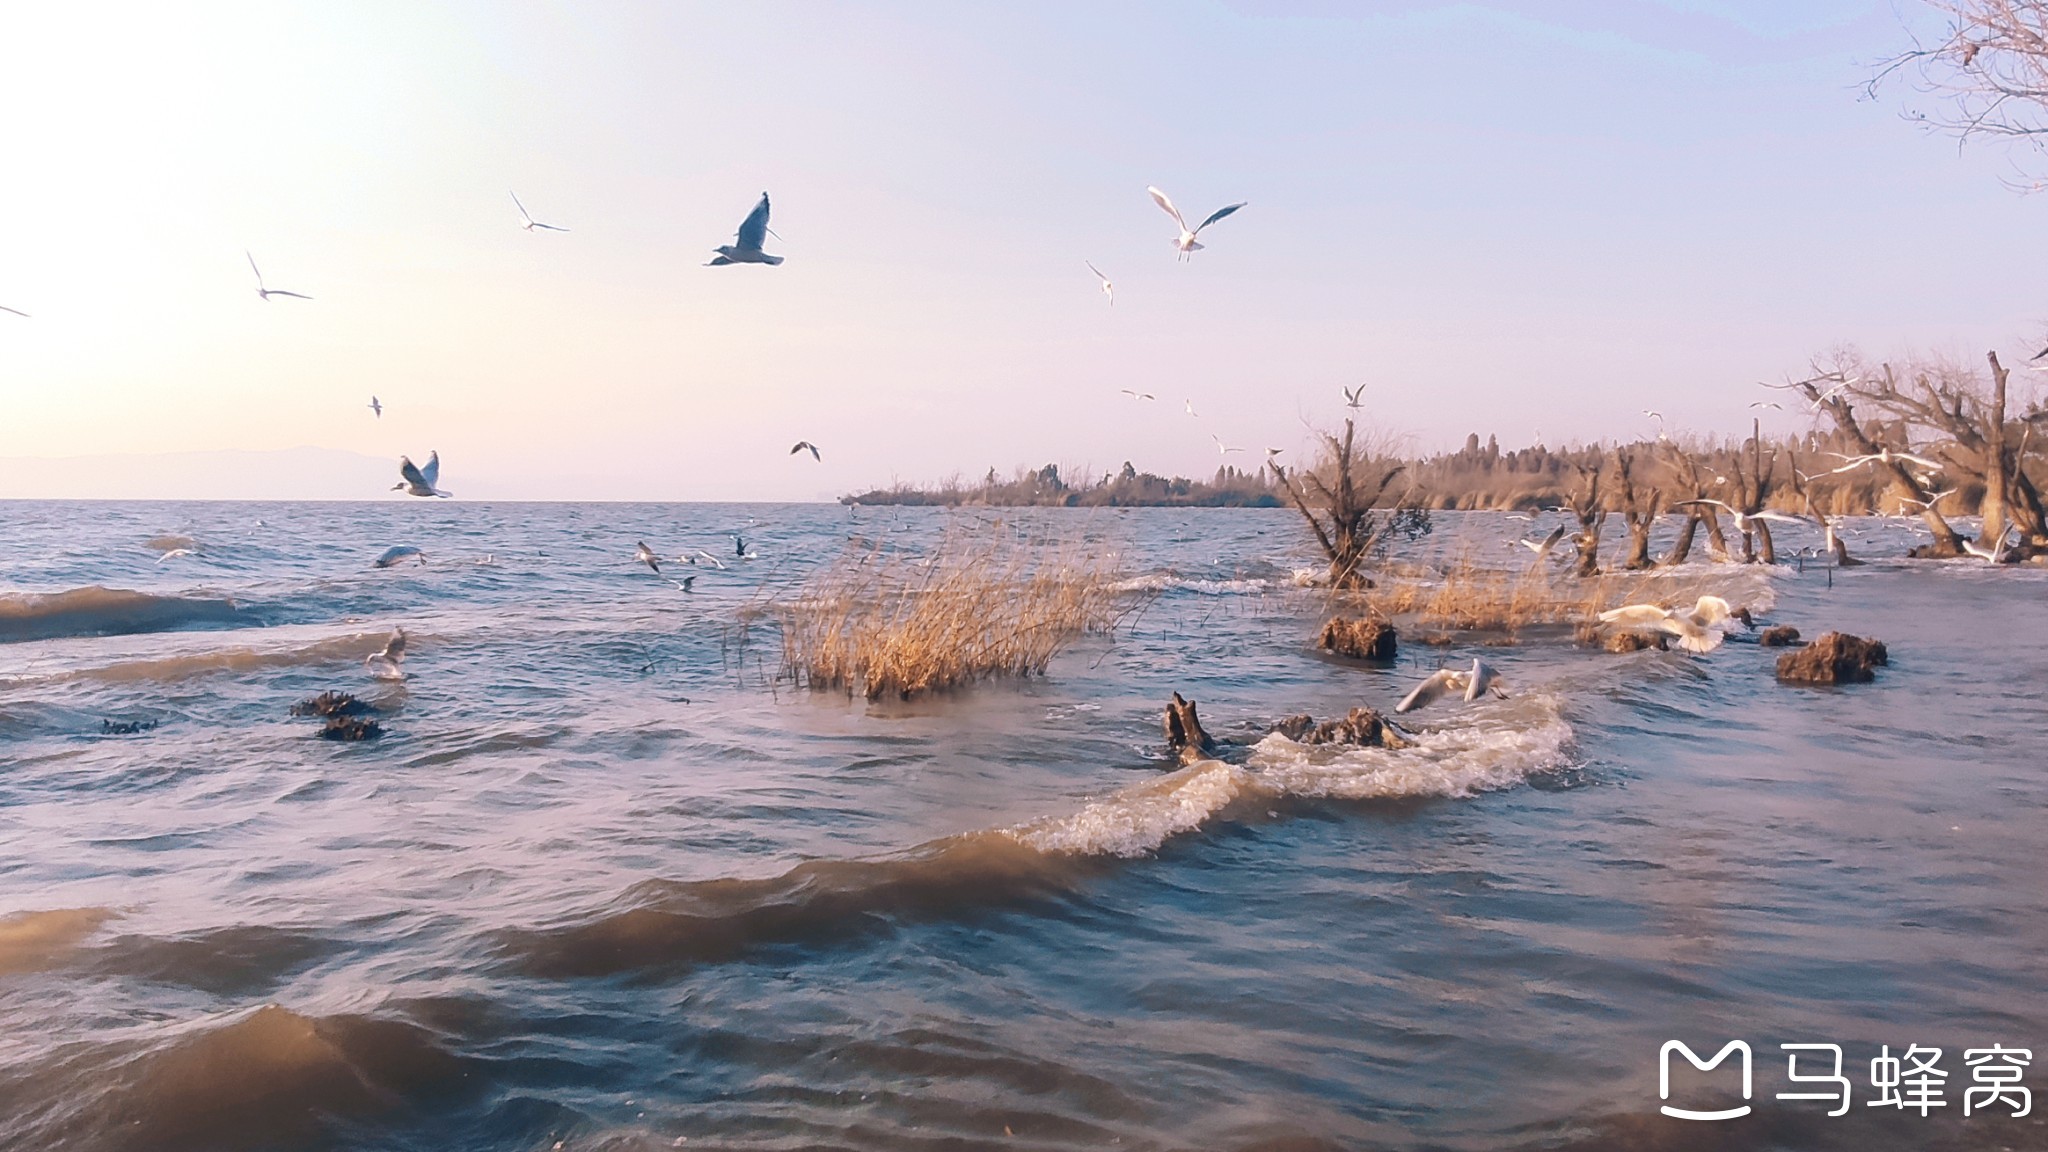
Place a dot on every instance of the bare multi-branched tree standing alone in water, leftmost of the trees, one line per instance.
(1342, 503)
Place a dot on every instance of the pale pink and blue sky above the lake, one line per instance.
(1508, 218)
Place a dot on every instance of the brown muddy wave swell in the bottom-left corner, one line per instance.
(267, 1079)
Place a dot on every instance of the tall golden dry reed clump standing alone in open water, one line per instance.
(892, 624)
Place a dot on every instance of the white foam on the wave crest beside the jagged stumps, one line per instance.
(1494, 751)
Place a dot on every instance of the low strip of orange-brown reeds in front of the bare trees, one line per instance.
(1469, 598)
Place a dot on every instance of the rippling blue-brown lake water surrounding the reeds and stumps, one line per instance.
(605, 884)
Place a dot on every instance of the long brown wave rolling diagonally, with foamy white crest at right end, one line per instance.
(679, 923)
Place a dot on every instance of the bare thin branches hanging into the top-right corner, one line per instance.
(1986, 77)
